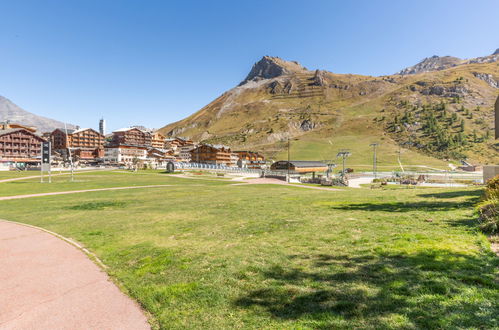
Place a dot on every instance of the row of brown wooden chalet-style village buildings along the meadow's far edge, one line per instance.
(130, 147)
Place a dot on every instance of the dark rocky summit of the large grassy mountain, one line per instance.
(270, 67)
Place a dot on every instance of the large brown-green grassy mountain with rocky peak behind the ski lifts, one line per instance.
(435, 113)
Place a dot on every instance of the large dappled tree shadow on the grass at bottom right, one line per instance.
(427, 290)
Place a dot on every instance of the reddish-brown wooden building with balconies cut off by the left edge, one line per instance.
(20, 145)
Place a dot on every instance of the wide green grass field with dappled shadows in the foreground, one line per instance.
(209, 254)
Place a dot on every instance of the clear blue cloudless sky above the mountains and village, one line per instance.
(151, 63)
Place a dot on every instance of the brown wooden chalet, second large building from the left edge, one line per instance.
(85, 144)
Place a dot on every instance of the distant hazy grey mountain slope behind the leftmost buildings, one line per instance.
(13, 113)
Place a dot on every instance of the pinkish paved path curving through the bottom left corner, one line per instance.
(47, 283)
